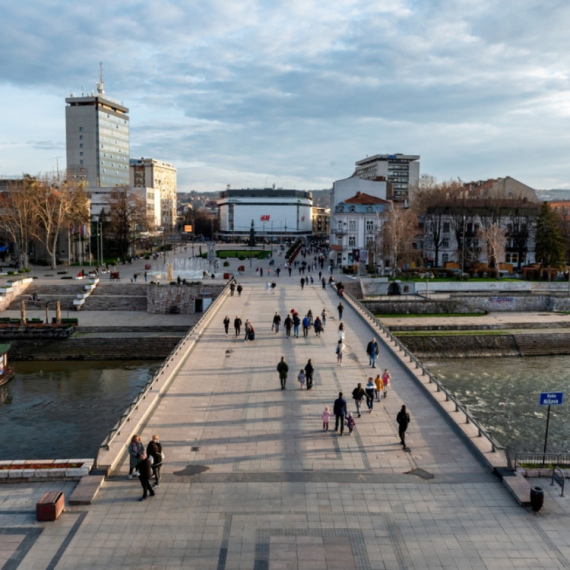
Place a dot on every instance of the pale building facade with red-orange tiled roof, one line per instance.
(355, 226)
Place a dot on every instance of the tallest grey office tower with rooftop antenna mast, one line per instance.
(97, 138)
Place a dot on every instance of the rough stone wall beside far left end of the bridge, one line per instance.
(179, 299)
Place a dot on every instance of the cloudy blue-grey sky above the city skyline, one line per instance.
(251, 92)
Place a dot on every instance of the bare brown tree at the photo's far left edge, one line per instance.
(18, 214)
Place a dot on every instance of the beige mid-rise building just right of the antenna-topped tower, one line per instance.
(161, 178)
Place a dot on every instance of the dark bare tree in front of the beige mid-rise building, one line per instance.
(127, 217)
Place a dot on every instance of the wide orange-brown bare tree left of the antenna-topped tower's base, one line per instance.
(58, 202)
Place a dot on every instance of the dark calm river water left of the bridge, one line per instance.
(63, 410)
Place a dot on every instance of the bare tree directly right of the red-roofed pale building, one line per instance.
(398, 233)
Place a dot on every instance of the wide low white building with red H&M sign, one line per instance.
(276, 213)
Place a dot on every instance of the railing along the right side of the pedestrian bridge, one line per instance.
(431, 378)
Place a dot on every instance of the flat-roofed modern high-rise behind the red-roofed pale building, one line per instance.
(402, 171)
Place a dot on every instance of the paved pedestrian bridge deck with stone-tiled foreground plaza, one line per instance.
(251, 481)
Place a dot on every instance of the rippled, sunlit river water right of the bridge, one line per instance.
(502, 393)
